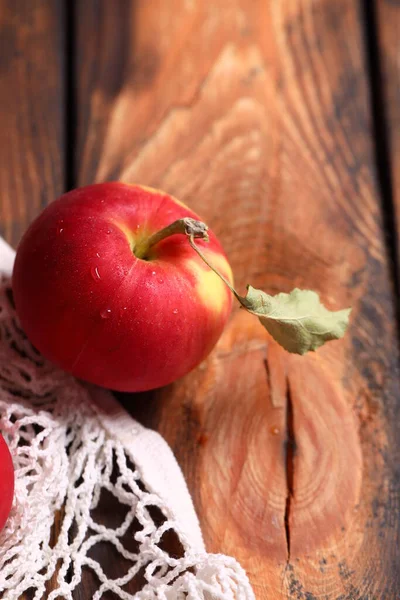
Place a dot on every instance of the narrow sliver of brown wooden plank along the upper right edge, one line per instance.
(388, 35)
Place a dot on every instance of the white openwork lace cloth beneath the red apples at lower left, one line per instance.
(75, 450)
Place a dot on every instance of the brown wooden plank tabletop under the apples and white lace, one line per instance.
(279, 122)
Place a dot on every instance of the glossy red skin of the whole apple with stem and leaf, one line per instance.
(90, 306)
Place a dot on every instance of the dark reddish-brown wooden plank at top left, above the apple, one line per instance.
(31, 111)
